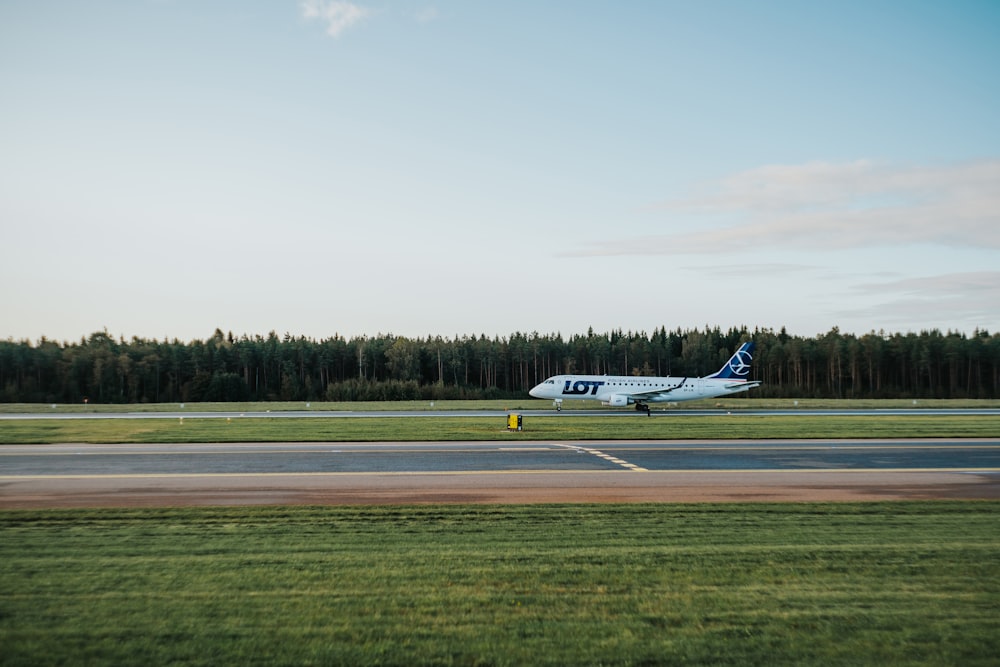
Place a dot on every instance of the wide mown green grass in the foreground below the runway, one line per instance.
(879, 583)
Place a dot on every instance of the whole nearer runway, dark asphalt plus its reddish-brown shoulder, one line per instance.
(492, 472)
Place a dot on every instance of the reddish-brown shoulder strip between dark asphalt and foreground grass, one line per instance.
(511, 487)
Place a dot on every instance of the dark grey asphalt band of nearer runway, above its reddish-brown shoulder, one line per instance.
(450, 457)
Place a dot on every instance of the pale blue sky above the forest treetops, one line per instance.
(457, 167)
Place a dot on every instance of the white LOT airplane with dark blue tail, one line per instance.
(619, 391)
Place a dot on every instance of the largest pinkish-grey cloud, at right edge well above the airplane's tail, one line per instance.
(831, 206)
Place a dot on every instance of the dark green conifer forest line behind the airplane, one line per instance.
(102, 369)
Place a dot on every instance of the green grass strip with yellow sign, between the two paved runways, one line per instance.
(564, 427)
